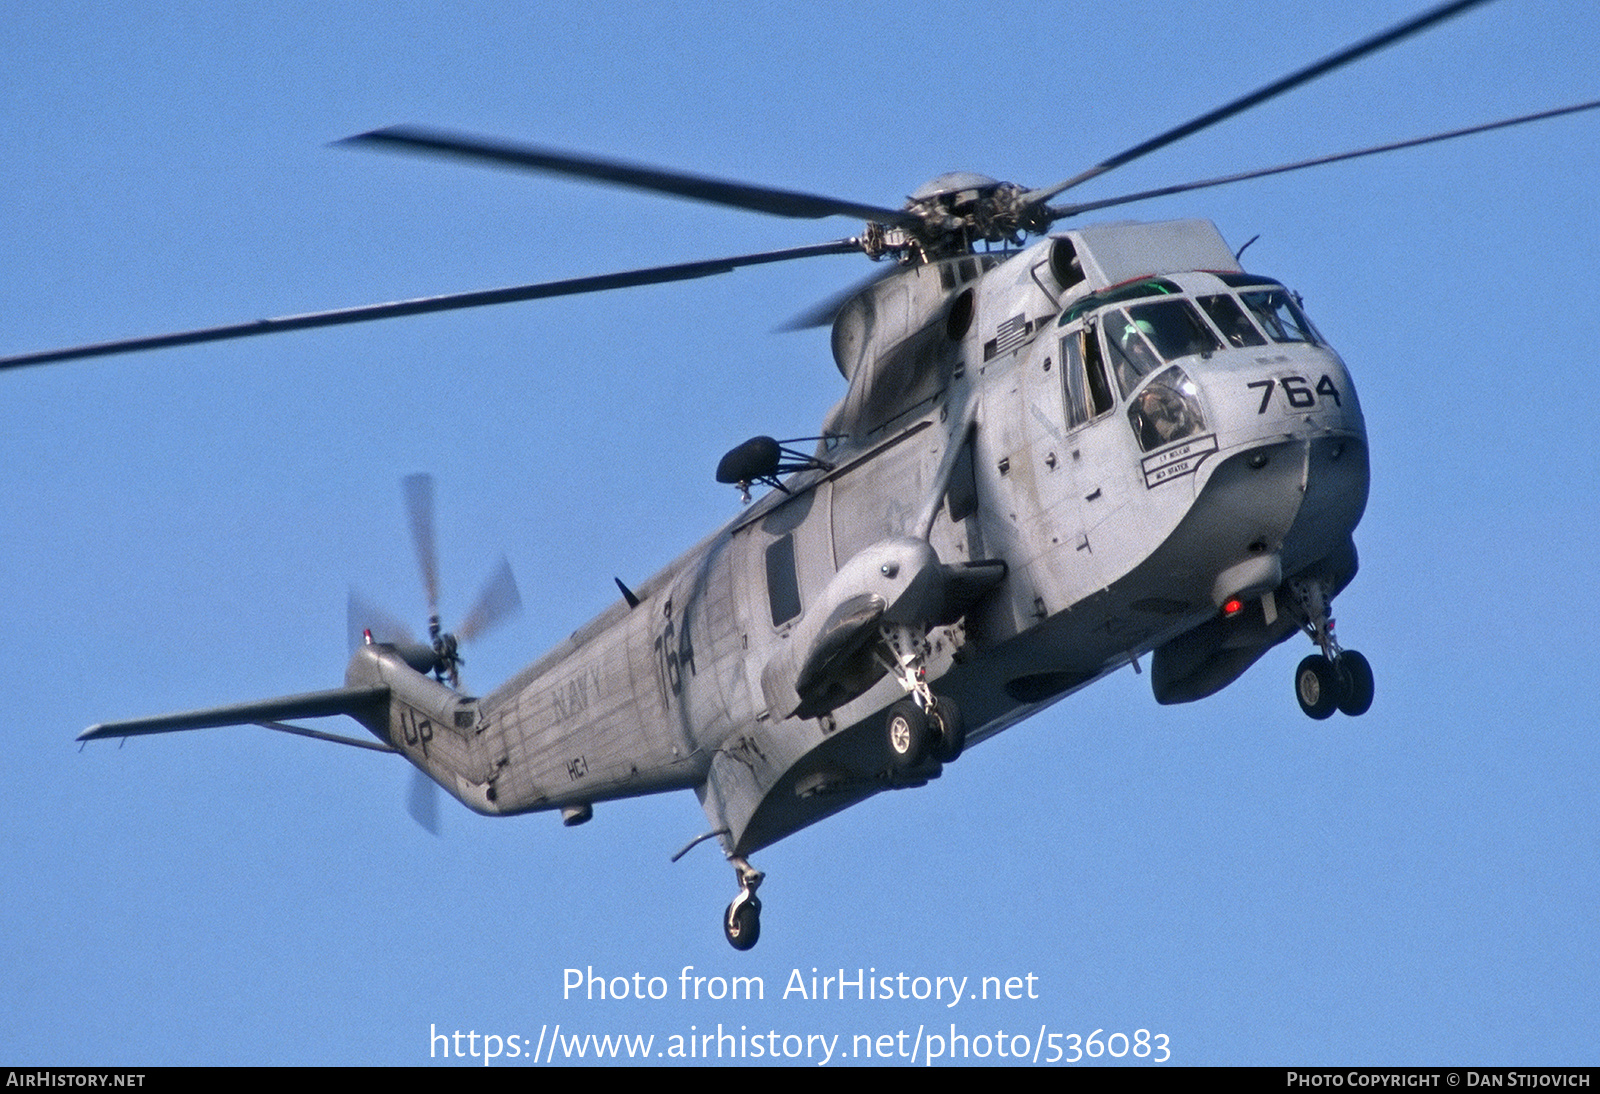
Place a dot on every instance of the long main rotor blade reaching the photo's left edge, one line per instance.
(423, 306)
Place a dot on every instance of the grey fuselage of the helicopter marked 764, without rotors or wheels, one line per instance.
(1143, 439)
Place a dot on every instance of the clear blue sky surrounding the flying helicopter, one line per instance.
(1407, 888)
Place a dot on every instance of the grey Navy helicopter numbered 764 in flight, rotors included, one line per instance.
(1054, 458)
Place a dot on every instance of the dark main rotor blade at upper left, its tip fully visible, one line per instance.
(695, 188)
